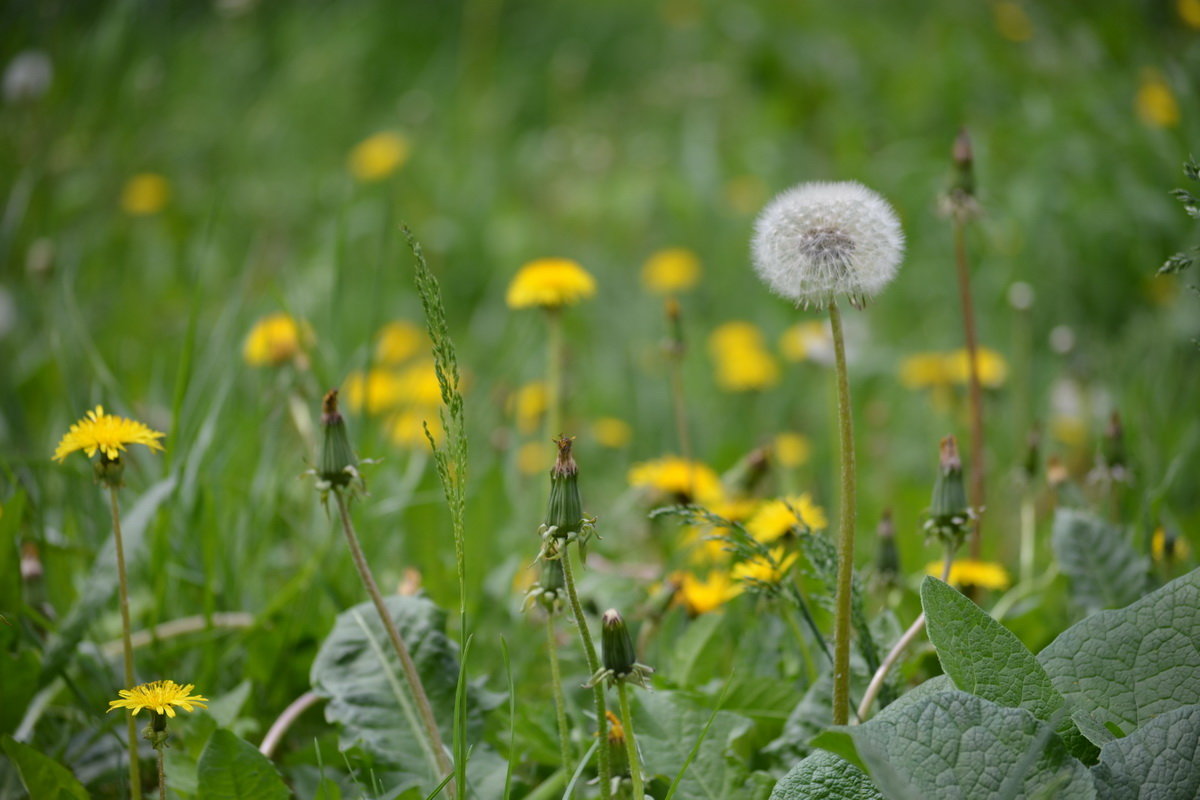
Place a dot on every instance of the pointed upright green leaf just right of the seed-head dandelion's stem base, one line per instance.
(986, 659)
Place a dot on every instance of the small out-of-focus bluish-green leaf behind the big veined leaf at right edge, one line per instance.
(1105, 570)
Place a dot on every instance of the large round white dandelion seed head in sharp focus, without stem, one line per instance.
(820, 240)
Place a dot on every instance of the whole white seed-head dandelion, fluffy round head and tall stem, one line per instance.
(812, 245)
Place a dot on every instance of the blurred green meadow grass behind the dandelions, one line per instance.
(601, 133)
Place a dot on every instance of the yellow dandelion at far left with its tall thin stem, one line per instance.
(109, 436)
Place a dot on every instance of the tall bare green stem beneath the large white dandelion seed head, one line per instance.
(847, 534)
